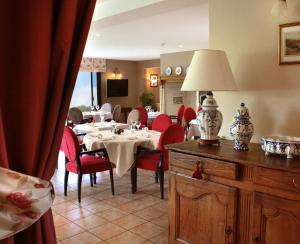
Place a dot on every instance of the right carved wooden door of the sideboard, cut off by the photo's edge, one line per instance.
(275, 220)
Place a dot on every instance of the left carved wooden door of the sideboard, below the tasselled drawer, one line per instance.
(209, 206)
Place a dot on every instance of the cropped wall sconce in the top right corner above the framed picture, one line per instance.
(286, 7)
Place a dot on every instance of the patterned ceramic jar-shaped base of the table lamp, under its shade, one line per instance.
(209, 119)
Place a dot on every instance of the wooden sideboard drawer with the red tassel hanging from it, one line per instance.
(186, 164)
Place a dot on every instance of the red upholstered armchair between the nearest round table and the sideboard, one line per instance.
(157, 160)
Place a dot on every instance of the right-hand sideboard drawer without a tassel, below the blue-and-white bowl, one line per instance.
(277, 179)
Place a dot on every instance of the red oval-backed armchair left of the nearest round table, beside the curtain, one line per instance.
(82, 162)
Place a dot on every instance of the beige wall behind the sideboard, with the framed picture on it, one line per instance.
(249, 35)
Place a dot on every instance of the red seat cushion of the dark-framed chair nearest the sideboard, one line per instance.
(150, 161)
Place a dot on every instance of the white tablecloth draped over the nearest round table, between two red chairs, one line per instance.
(121, 149)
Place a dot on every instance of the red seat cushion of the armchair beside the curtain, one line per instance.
(89, 164)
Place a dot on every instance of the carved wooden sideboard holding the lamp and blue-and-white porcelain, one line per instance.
(243, 197)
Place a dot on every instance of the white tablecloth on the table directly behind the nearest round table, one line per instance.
(95, 127)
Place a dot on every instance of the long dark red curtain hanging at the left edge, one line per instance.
(41, 46)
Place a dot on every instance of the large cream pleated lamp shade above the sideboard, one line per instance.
(209, 71)
